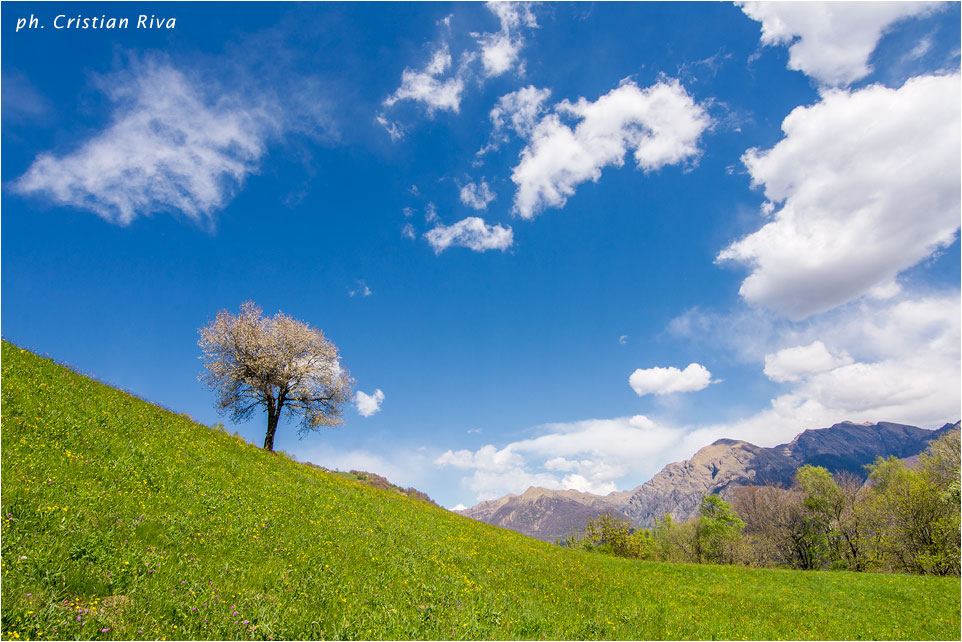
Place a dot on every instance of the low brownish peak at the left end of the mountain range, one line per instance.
(544, 514)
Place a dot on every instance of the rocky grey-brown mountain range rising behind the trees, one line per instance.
(719, 468)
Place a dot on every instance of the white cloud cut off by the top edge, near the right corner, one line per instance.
(830, 41)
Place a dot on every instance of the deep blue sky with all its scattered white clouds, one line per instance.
(568, 243)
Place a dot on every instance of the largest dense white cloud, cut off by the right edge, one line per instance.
(868, 183)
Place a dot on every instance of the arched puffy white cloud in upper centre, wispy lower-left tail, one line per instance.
(661, 124)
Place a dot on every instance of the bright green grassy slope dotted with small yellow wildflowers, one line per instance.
(122, 520)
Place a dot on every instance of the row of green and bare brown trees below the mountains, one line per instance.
(900, 519)
